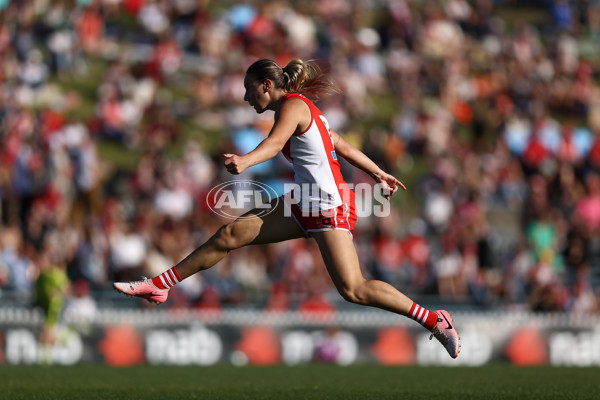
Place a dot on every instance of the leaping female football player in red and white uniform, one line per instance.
(327, 214)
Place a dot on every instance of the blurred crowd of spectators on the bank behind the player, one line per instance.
(495, 124)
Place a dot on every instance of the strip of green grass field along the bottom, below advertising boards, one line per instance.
(307, 382)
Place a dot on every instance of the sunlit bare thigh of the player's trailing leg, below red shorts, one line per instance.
(339, 255)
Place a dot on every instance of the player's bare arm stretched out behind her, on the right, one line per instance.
(357, 158)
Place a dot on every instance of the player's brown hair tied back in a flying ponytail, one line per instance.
(297, 76)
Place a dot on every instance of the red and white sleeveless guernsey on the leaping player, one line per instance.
(316, 167)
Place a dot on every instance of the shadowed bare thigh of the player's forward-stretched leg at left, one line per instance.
(262, 227)
